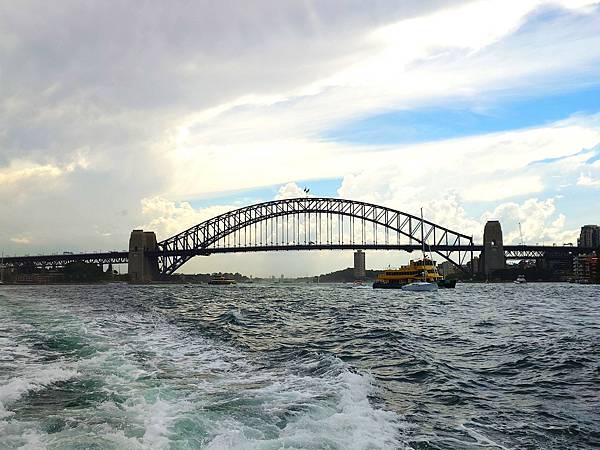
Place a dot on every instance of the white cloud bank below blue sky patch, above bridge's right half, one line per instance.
(483, 168)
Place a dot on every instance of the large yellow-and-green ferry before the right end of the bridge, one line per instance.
(423, 270)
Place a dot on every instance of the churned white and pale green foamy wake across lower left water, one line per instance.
(165, 375)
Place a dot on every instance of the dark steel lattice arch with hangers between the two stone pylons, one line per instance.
(312, 223)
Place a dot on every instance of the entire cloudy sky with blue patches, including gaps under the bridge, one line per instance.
(117, 115)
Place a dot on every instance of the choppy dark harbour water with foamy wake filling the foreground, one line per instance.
(299, 366)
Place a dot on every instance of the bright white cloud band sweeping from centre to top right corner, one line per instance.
(284, 131)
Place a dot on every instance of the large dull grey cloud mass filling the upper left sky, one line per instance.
(104, 80)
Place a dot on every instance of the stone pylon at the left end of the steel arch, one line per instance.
(142, 268)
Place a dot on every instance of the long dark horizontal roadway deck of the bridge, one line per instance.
(122, 257)
